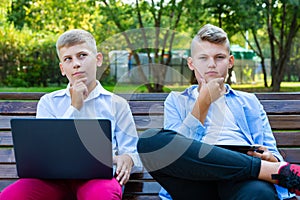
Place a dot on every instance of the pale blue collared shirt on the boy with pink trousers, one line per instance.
(100, 104)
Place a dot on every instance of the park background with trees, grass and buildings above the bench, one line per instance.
(145, 43)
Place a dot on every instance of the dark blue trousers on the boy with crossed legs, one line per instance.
(190, 169)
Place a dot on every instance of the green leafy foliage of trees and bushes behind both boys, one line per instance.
(29, 29)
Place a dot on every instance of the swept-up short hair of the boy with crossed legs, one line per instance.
(212, 34)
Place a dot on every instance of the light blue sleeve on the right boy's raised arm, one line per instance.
(178, 118)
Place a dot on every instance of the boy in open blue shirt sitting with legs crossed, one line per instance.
(183, 157)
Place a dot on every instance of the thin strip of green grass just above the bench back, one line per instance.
(258, 87)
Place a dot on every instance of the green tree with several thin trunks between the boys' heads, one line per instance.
(158, 14)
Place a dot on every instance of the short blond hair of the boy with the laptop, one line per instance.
(74, 37)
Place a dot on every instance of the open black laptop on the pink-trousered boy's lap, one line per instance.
(63, 148)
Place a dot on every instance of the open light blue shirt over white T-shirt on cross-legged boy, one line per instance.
(244, 109)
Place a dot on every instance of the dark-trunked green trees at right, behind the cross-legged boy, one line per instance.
(278, 18)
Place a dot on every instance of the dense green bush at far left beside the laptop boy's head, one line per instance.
(28, 59)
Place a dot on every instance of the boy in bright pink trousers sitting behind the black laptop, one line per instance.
(84, 97)
